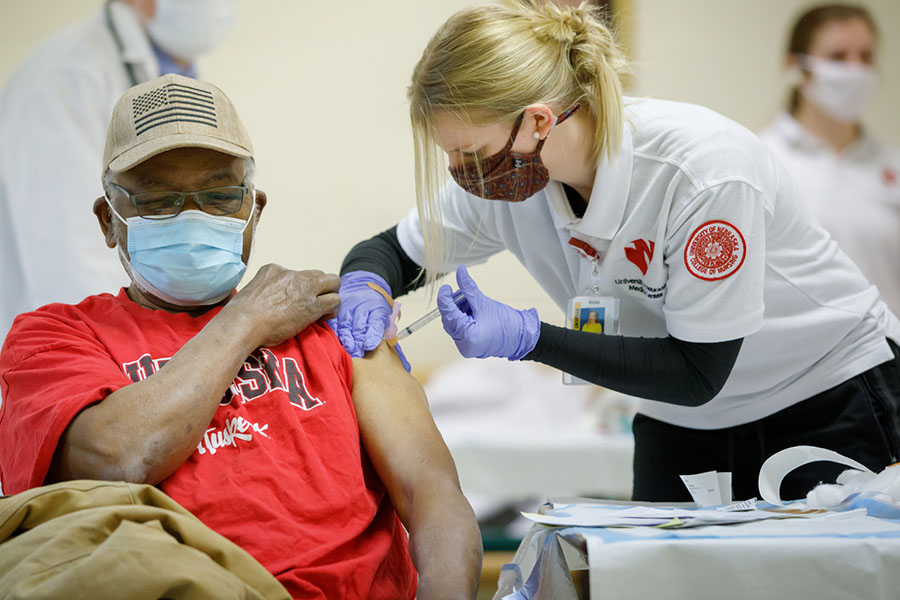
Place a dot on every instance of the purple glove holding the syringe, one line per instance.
(482, 327)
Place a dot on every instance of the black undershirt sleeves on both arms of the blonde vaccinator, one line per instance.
(665, 369)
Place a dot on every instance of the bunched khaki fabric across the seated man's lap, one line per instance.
(98, 539)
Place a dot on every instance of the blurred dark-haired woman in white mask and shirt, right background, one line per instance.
(850, 180)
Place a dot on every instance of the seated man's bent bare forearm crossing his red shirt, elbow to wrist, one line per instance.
(144, 431)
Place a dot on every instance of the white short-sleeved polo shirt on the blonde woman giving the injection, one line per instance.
(703, 236)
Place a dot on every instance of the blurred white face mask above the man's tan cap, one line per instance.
(187, 29)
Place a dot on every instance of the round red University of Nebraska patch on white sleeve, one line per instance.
(715, 251)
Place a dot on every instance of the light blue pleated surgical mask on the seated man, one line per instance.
(193, 259)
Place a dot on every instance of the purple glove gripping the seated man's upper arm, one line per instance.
(364, 313)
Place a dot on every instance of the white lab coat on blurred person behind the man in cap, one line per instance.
(54, 112)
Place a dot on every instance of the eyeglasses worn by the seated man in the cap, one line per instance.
(220, 201)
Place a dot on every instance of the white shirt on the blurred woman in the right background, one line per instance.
(854, 194)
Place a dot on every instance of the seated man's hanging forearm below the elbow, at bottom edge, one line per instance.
(445, 544)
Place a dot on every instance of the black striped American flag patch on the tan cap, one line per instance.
(173, 103)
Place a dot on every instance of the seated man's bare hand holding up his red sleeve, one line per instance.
(282, 303)
